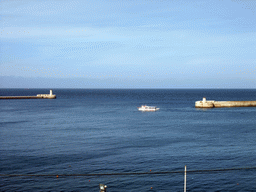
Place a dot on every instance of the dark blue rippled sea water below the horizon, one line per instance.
(101, 131)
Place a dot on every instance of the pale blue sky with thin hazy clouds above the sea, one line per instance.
(128, 44)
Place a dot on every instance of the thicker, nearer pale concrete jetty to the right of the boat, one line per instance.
(218, 104)
